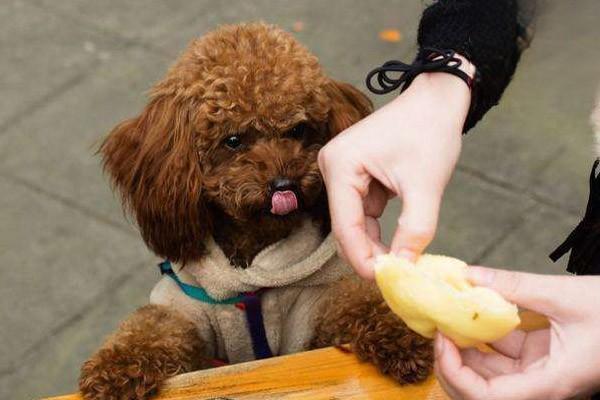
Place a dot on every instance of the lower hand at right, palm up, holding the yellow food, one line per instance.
(561, 362)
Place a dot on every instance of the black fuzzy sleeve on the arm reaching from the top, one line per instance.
(488, 33)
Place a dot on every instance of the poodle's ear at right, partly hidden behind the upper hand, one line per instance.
(348, 106)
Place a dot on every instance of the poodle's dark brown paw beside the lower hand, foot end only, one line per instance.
(397, 351)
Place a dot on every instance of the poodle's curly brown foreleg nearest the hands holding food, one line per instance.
(354, 312)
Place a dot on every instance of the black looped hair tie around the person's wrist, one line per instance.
(428, 59)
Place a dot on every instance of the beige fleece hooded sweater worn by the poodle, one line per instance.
(296, 270)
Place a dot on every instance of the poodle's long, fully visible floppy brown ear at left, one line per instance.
(153, 162)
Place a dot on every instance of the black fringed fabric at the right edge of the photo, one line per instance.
(584, 241)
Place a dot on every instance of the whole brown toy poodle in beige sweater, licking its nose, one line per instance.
(220, 172)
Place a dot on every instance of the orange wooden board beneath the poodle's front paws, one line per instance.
(320, 374)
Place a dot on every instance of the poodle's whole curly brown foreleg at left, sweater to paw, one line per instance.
(153, 344)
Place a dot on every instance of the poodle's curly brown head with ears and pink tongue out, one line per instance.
(235, 125)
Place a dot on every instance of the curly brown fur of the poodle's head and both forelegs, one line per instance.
(181, 180)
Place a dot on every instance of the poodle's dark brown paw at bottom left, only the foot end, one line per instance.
(119, 373)
